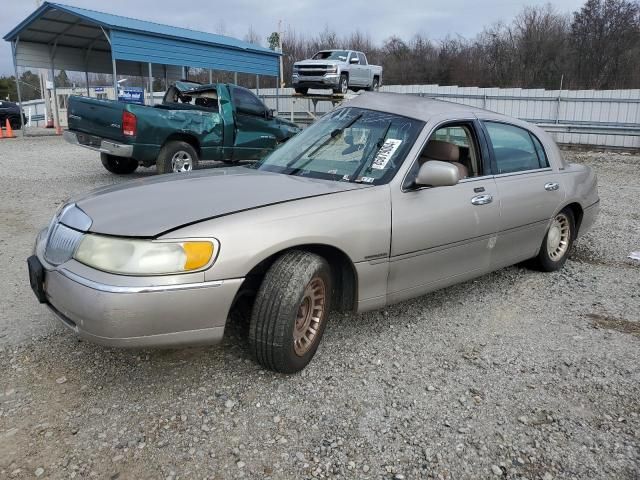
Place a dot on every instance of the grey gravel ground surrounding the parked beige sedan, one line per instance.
(518, 374)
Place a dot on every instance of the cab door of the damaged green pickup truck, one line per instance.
(254, 133)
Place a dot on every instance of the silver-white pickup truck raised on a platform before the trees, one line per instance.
(339, 70)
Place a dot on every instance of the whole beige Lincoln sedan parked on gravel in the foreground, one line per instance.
(386, 198)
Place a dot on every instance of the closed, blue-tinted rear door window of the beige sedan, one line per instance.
(513, 148)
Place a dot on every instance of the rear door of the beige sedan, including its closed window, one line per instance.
(529, 190)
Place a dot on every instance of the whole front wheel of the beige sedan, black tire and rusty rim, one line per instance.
(297, 284)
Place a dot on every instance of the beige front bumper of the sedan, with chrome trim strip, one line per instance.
(139, 315)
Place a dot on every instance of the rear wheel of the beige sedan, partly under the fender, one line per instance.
(557, 243)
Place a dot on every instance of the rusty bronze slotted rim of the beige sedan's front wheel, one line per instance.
(310, 316)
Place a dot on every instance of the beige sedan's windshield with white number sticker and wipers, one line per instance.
(349, 144)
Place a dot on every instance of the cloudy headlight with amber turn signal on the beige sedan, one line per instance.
(144, 257)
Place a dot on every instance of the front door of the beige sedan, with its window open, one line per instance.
(443, 235)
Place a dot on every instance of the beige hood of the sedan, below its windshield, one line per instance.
(157, 205)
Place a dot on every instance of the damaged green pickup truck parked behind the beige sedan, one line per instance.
(194, 122)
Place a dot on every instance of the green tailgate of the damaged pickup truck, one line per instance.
(102, 118)
